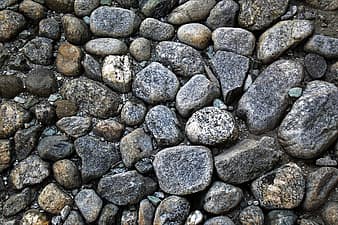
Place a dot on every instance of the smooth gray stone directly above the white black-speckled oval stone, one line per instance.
(195, 94)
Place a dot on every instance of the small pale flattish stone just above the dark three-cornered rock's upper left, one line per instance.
(74, 126)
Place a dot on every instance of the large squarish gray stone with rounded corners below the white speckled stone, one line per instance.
(184, 170)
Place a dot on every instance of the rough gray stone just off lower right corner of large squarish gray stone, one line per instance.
(221, 198)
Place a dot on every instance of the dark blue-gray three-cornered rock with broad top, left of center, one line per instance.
(97, 157)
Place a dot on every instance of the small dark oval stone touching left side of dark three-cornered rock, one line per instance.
(55, 148)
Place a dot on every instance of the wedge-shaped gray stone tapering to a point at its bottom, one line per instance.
(231, 70)
